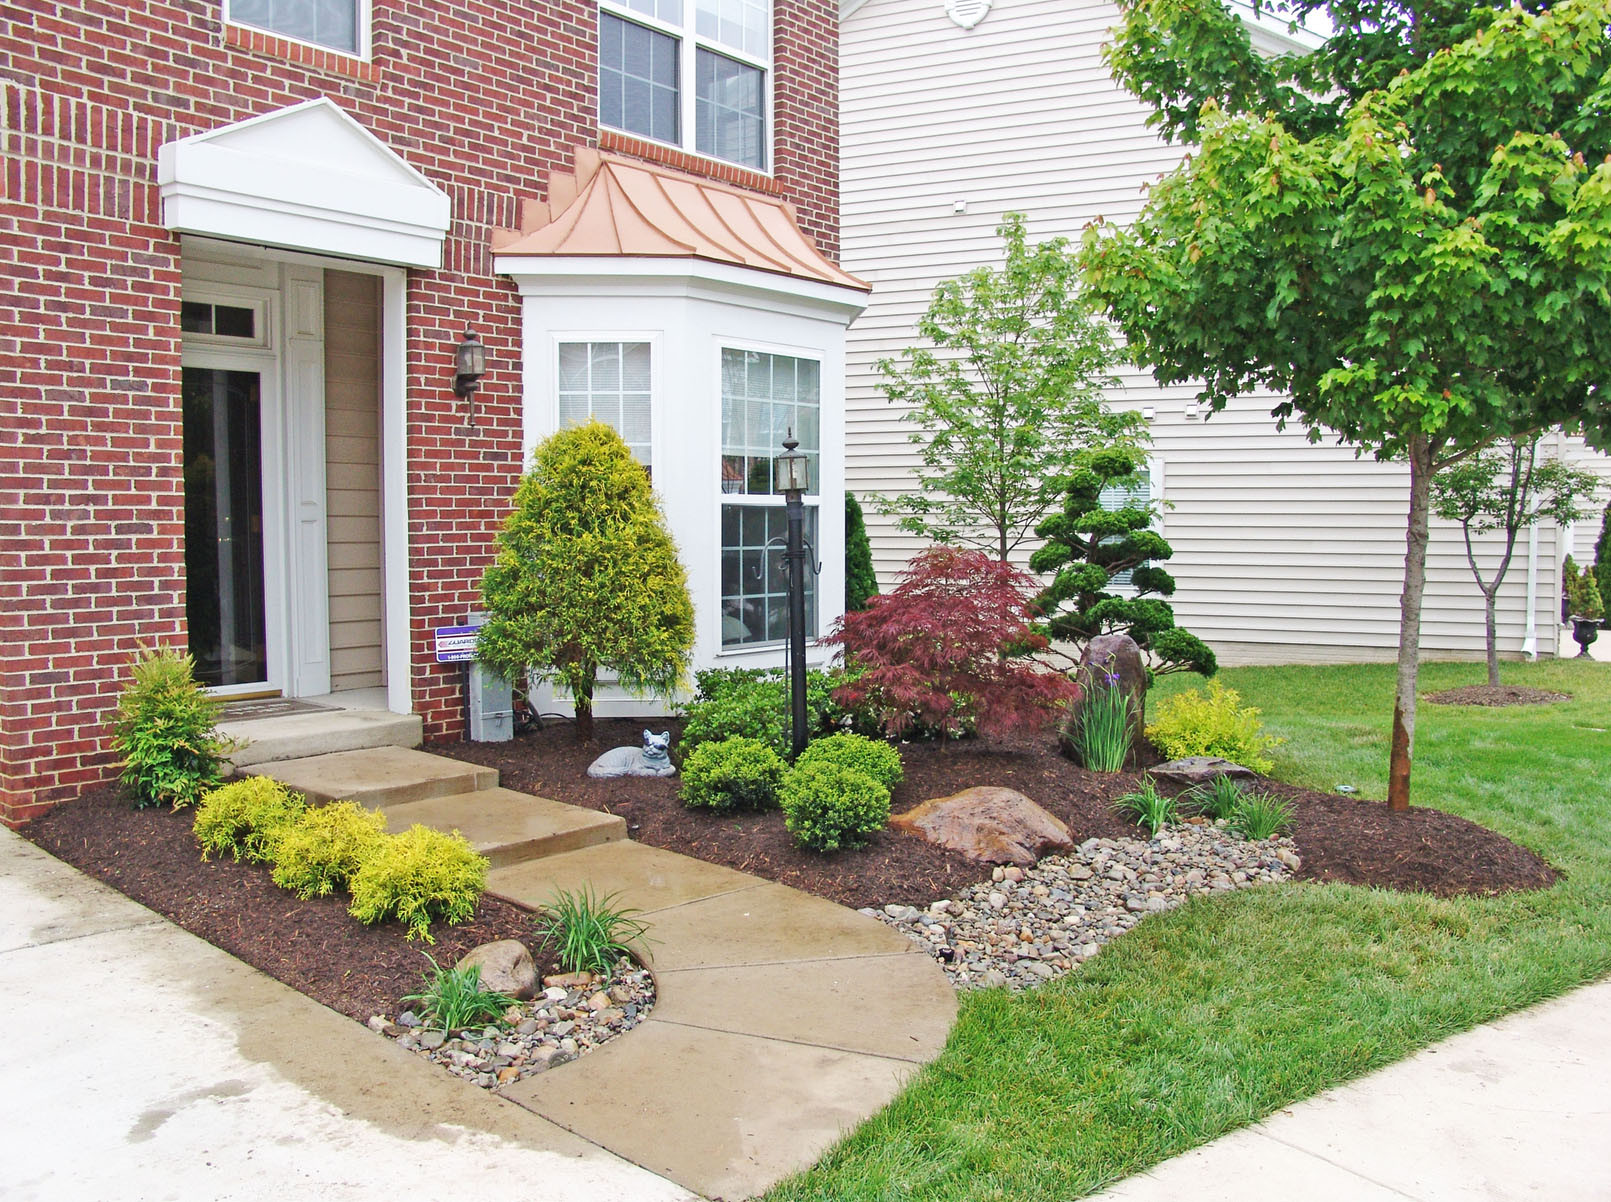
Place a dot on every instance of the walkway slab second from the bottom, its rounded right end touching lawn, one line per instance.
(826, 1003)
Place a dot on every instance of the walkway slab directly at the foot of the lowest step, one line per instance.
(645, 877)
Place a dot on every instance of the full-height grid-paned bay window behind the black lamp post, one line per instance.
(764, 397)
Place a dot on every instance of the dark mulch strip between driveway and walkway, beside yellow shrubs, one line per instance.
(313, 947)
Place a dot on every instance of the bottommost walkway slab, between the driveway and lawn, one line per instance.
(724, 1114)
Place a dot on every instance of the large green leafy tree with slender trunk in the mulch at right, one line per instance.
(1406, 233)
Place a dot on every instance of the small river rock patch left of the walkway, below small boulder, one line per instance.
(569, 1018)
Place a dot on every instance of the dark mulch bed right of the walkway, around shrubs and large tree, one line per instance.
(1338, 839)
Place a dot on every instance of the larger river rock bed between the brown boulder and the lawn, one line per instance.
(1029, 926)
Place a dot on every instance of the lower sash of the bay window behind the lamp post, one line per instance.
(755, 574)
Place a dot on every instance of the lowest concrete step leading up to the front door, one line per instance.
(510, 827)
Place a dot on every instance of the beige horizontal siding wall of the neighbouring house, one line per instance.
(1283, 550)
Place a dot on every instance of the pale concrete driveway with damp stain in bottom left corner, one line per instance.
(143, 1063)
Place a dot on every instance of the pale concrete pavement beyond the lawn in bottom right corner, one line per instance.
(1512, 1111)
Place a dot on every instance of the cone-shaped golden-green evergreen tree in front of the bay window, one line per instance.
(586, 576)
